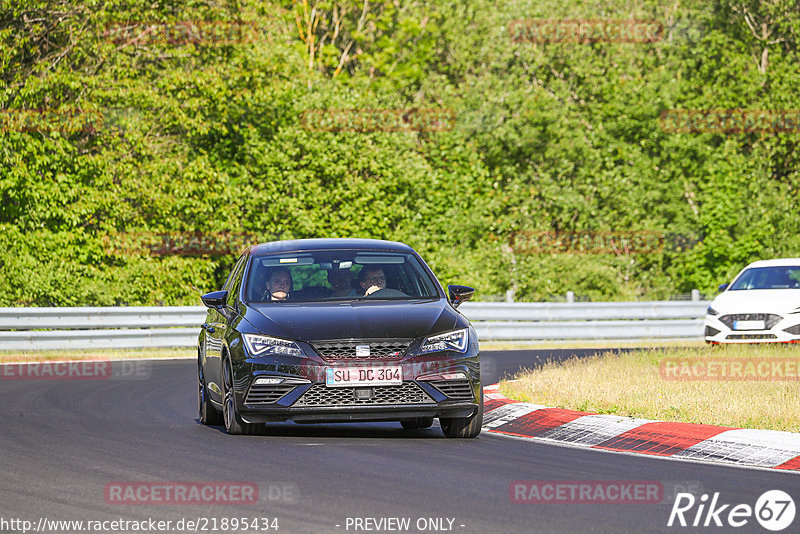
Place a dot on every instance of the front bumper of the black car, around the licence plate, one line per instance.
(303, 395)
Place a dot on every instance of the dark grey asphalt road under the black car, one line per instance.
(64, 442)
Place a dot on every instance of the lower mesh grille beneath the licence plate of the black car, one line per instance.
(407, 393)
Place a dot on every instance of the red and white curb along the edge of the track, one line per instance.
(741, 446)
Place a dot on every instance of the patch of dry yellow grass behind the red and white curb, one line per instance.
(631, 384)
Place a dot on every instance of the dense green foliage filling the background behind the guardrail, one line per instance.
(192, 118)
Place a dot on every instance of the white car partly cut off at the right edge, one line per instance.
(761, 305)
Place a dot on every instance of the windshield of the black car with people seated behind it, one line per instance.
(338, 275)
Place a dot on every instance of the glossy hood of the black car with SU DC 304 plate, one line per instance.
(355, 319)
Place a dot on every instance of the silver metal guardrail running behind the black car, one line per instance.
(179, 326)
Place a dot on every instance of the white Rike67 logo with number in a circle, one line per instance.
(774, 510)
